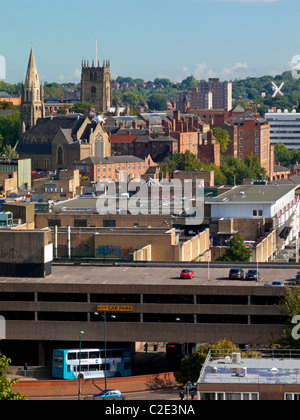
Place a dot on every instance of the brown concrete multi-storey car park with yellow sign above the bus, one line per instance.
(46, 313)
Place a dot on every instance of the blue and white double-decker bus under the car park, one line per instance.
(65, 363)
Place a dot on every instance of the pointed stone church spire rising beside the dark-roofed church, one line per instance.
(32, 98)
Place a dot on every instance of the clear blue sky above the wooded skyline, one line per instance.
(145, 39)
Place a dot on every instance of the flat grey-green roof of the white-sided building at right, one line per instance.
(253, 193)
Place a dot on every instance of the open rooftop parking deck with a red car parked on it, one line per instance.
(156, 274)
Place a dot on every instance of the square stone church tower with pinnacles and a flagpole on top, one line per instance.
(96, 85)
